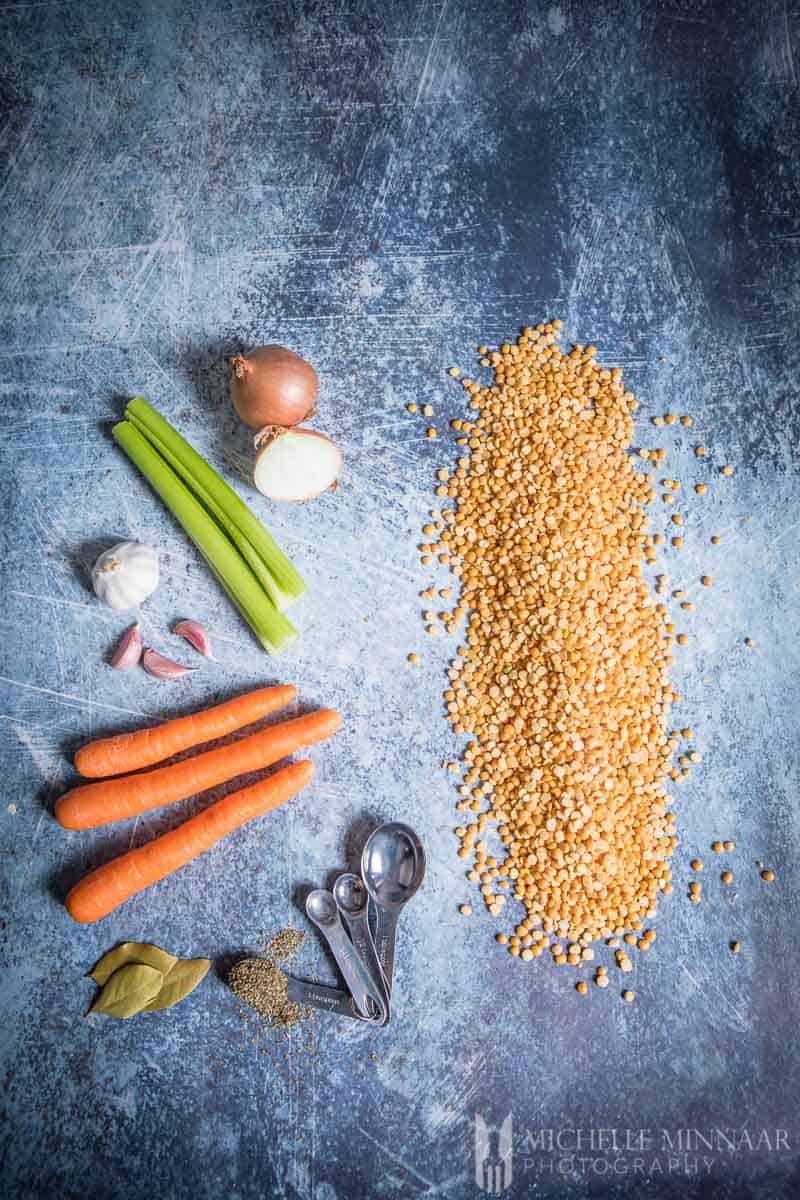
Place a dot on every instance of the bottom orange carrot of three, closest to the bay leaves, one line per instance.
(110, 886)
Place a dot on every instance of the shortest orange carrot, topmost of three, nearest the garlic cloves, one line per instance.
(133, 752)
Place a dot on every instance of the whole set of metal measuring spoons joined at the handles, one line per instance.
(359, 922)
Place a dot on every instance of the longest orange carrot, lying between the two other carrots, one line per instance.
(113, 800)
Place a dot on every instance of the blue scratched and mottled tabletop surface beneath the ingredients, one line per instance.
(383, 187)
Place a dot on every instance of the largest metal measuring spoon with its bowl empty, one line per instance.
(393, 868)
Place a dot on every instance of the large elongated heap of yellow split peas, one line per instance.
(563, 677)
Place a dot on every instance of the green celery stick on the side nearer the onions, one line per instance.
(263, 554)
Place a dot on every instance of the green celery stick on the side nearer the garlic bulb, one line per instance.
(272, 628)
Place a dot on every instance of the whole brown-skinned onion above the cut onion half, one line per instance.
(273, 386)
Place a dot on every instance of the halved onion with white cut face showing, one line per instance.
(296, 465)
